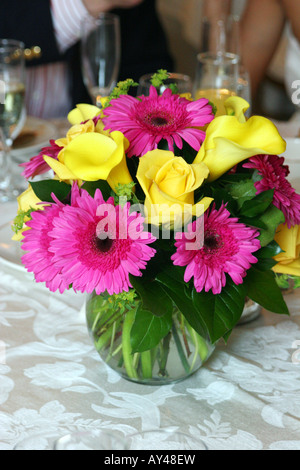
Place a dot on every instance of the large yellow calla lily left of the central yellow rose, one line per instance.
(94, 156)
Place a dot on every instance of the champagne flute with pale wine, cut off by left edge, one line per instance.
(12, 113)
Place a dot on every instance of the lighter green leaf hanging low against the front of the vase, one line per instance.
(148, 330)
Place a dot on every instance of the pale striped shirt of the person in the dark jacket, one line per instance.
(47, 91)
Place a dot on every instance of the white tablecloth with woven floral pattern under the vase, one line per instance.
(246, 397)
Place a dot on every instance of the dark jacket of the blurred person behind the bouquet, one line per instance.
(144, 45)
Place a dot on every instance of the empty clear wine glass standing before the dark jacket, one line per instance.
(101, 54)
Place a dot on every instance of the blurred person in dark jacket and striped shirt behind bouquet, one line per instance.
(54, 81)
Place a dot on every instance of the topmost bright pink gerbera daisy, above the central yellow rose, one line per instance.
(146, 120)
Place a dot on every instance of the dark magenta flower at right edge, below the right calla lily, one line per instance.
(274, 173)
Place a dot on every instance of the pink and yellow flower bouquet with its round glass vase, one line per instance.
(168, 217)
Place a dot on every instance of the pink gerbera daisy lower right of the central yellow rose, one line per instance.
(227, 248)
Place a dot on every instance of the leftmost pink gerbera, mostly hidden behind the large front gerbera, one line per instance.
(38, 259)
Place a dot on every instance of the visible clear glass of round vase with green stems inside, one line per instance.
(178, 355)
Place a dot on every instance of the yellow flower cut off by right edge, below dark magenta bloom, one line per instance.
(289, 242)
